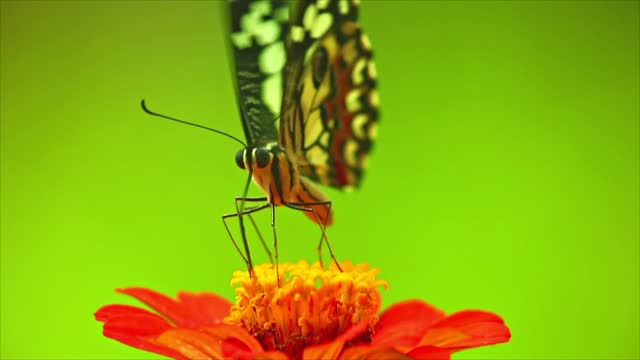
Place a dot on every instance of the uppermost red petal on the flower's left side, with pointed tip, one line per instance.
(209, 309)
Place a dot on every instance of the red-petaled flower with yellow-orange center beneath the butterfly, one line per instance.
(304, 312)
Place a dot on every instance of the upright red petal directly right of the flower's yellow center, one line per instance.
(403, 324)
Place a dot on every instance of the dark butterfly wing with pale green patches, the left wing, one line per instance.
(257, 33)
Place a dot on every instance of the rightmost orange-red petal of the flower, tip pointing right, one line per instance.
(466, 329)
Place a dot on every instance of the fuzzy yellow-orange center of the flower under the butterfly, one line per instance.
(307, 305)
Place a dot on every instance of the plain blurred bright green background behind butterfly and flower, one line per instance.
(505, 177)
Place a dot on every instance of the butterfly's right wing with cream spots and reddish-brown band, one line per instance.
(330, 104)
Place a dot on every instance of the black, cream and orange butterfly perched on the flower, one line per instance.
(305, 84)
